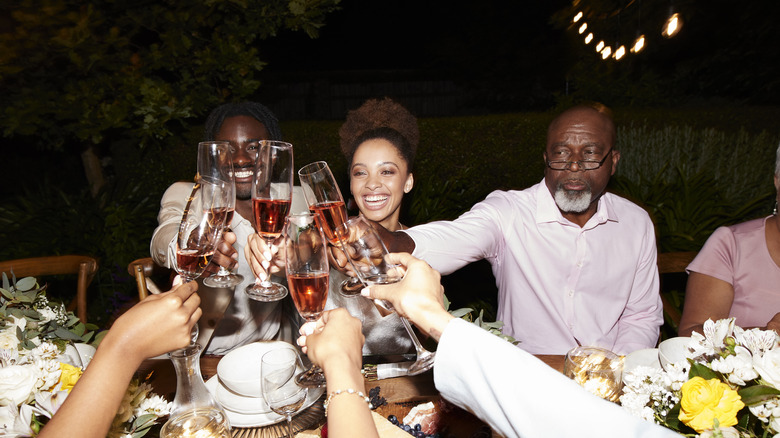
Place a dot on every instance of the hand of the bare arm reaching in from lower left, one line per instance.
(158, 324)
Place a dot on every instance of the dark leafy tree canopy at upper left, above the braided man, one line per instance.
(109, 70)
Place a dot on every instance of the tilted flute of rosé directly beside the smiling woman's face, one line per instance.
(324, 198)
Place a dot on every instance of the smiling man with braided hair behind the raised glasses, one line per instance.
(243, 125)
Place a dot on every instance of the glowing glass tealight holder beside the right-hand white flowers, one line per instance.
(598, 370)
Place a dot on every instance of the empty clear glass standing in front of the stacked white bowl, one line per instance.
(282, 394)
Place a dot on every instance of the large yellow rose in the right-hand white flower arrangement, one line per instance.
(705, 400)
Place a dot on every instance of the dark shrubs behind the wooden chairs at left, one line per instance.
(114, 227)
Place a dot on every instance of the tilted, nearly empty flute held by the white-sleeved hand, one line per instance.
(368, 256)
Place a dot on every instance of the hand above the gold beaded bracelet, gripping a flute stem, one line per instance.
(333, 341)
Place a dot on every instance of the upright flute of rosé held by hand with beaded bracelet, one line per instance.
(307, 276)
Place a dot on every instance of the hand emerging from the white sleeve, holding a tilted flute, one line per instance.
(418, 297)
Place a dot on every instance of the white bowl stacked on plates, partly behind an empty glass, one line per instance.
(239, 370)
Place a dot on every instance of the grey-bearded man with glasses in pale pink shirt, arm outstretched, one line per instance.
(574, 265)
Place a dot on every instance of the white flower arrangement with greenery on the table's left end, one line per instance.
(36, 372)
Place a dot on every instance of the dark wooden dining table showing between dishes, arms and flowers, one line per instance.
(396, 396)
